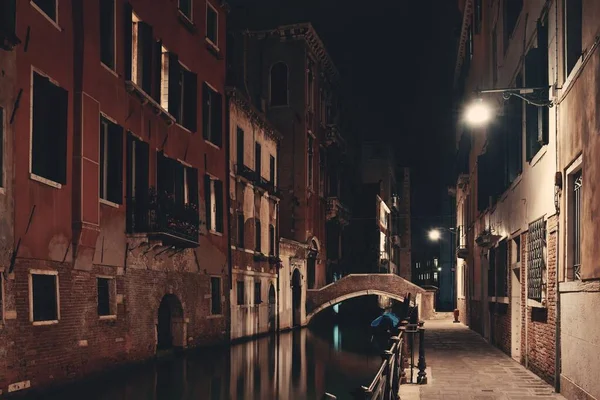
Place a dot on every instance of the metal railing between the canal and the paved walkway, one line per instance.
(385, 385)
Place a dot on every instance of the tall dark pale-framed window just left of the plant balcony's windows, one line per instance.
(111, 161)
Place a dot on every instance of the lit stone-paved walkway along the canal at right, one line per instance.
(461, 365)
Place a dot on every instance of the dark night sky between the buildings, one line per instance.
(396, 58)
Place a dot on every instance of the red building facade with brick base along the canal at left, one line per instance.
(115, 165)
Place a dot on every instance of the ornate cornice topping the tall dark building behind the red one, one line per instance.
(310, 36)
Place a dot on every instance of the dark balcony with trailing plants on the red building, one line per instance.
(162, 218)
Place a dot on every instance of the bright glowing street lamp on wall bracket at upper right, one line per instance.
(480, 113)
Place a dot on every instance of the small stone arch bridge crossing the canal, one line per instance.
(356, 285)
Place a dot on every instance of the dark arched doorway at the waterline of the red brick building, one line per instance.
(171, 326)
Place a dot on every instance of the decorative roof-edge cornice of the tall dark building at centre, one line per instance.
(304, 31)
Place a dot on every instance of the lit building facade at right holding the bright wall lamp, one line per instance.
(506, 275)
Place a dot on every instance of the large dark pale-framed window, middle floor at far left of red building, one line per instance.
(49, 130)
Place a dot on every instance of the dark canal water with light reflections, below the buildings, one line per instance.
(302, 364)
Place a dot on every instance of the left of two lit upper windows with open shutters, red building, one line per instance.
(140, 53)
